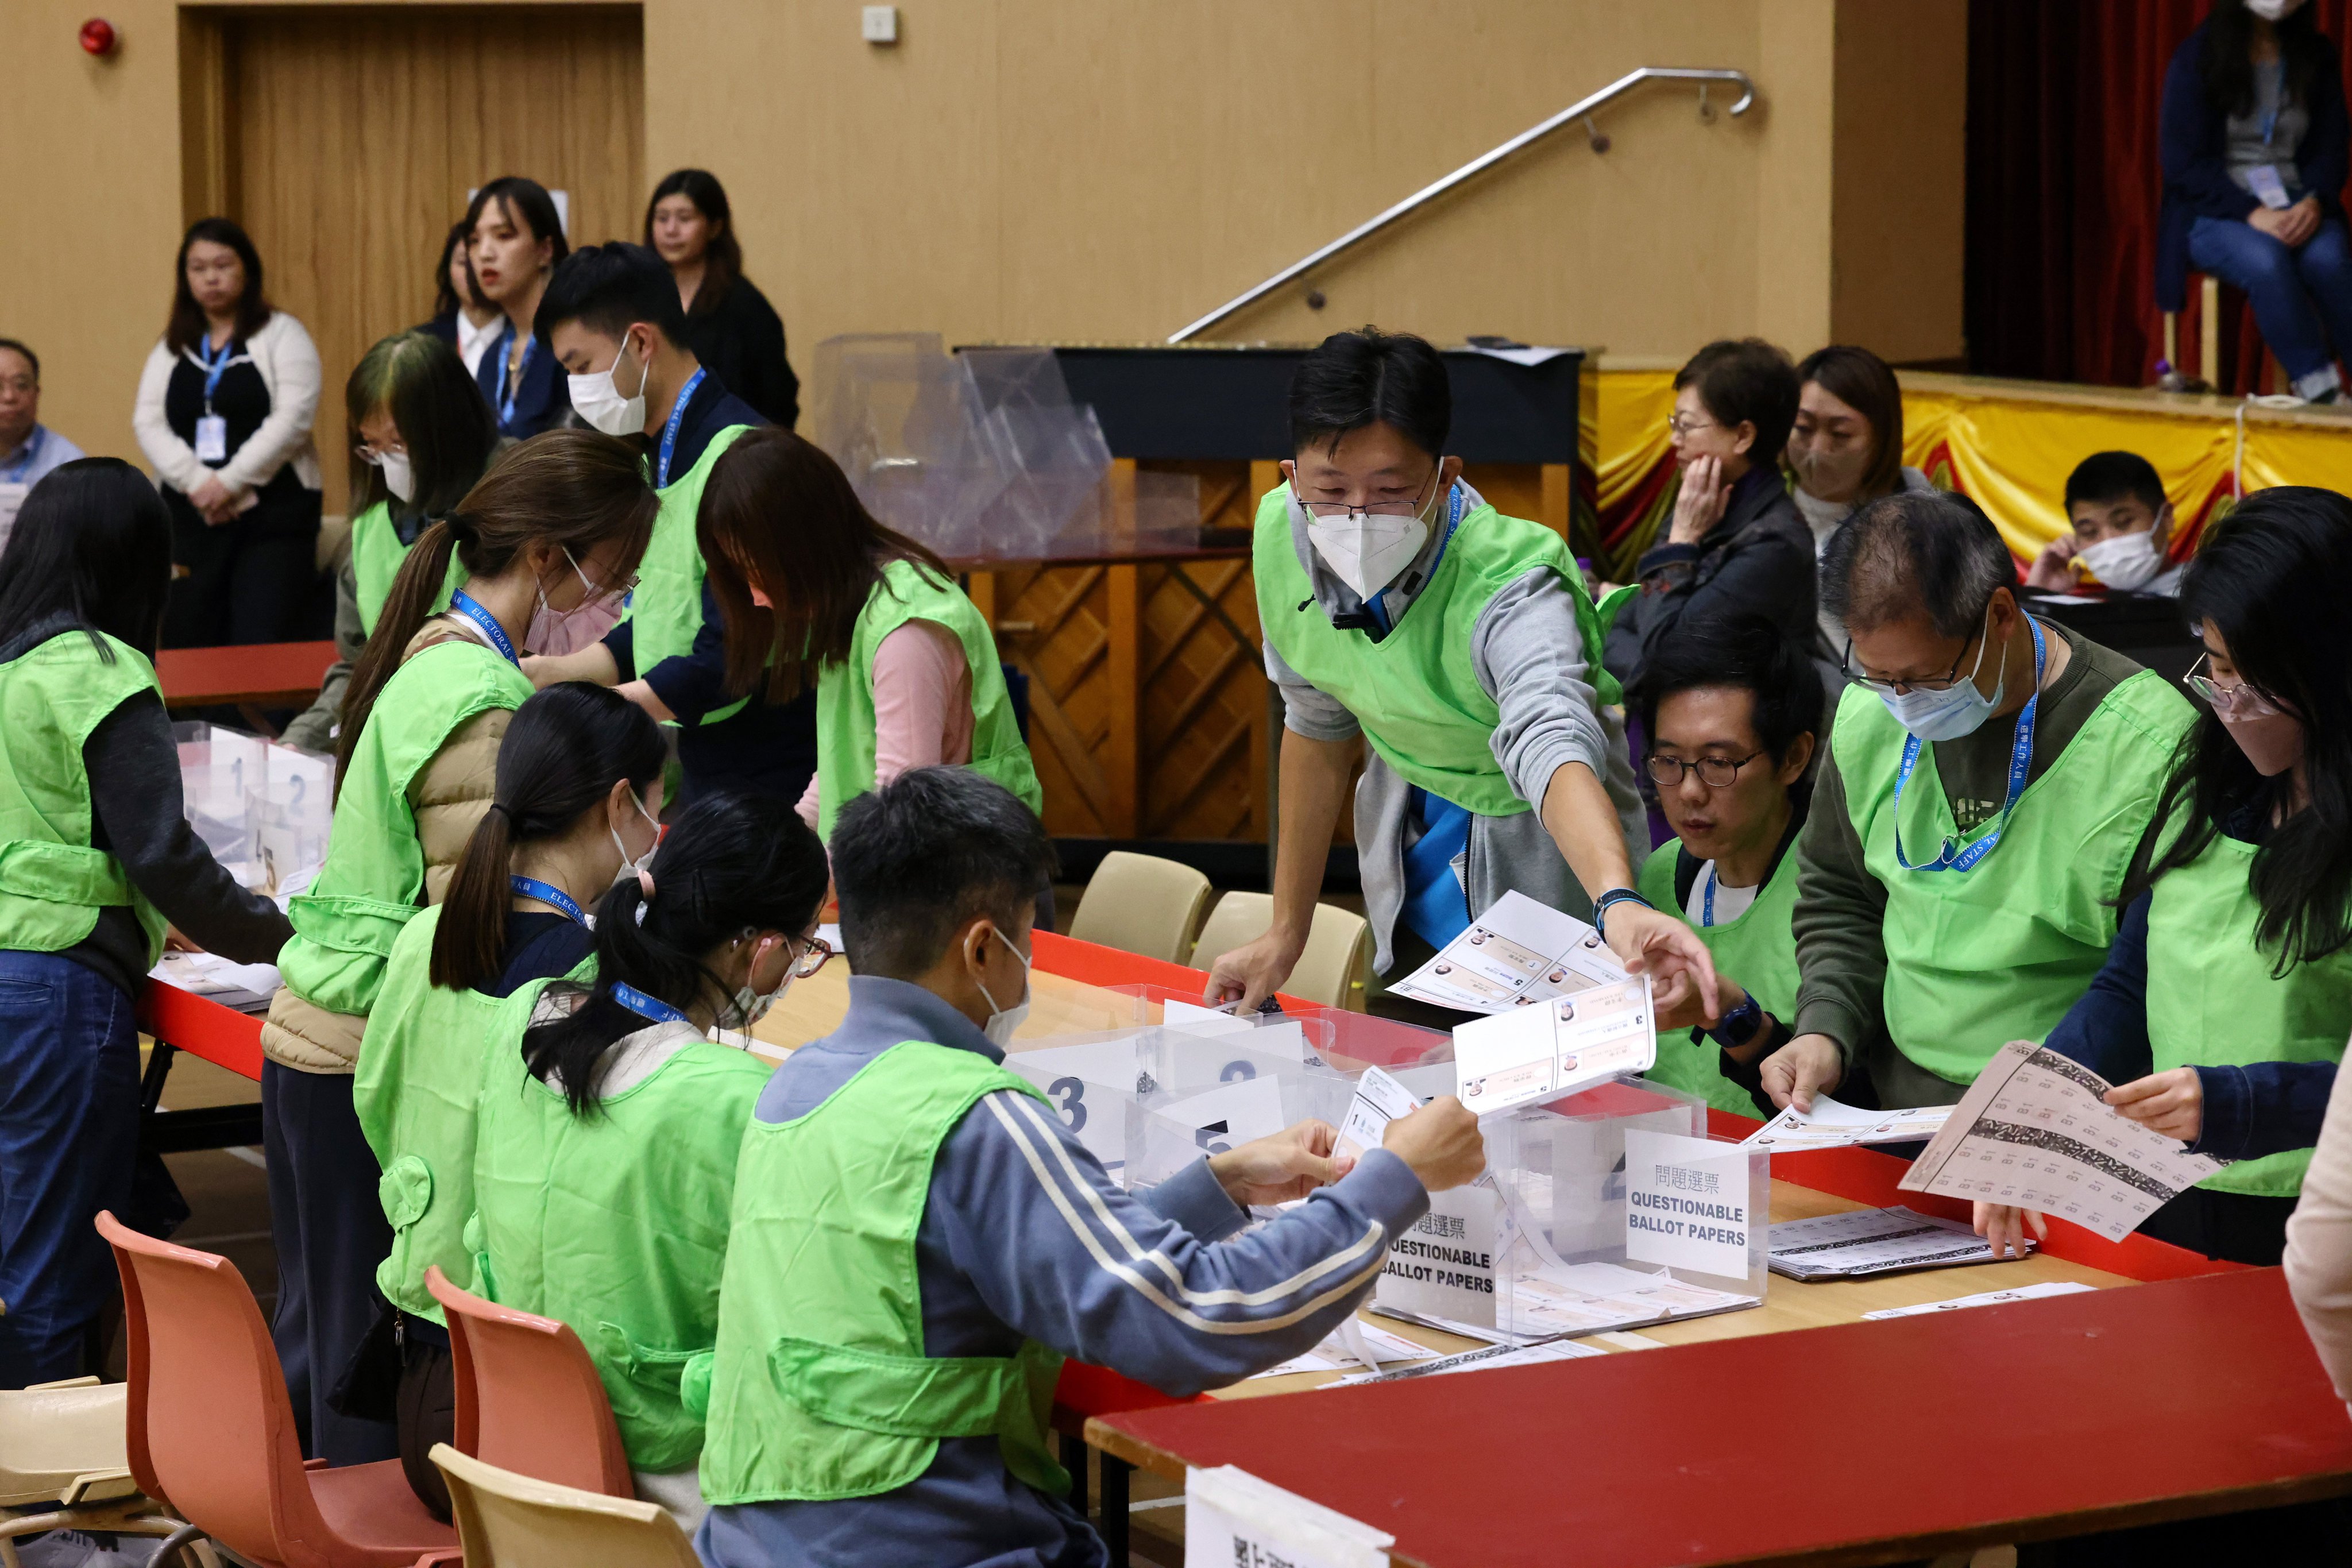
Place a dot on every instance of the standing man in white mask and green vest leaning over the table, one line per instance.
(1405, 610)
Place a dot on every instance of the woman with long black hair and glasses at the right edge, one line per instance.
(2226, 1000)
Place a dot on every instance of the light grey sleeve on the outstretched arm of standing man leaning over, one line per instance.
(1530, 657)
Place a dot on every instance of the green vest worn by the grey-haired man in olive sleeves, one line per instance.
(2003, 951)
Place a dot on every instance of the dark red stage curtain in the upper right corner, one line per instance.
(2064, 189)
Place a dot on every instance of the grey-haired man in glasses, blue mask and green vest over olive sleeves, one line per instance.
(1989, 779)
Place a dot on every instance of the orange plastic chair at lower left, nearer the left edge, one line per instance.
(213, 1430)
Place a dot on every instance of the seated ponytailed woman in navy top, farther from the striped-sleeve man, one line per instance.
(580, 789)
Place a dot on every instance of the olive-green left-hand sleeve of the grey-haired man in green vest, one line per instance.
(1838, 925)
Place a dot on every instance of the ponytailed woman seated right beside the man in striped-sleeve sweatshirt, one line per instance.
(610, 1123)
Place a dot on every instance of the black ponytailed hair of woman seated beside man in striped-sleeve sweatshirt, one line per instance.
(728, 864)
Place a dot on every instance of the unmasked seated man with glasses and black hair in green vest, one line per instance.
(1730, 709)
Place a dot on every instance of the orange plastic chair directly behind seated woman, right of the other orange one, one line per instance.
(528, 1398)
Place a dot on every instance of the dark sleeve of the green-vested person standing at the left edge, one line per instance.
(135, 791)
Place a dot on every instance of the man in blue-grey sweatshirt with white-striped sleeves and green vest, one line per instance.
(855, 1426)
